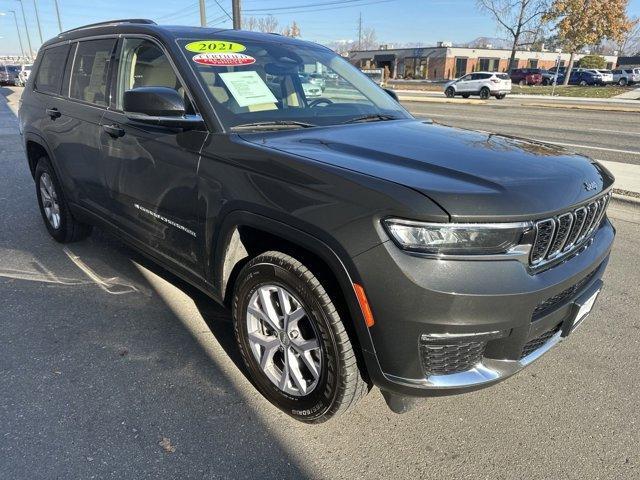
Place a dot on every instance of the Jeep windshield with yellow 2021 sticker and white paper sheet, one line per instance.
(284, 82)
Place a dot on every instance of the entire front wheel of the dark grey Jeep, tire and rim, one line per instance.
(275, 278)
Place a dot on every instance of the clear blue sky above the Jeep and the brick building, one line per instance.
(426, 21)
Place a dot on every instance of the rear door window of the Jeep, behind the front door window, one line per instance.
(89, 72)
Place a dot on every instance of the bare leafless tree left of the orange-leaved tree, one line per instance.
(522, 20)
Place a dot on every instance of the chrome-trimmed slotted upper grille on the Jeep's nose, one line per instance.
(564, 233)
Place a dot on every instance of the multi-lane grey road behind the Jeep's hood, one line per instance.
(603, 135)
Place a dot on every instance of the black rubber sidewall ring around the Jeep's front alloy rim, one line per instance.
(321, 399)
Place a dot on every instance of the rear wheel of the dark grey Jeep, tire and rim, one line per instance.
(57, 217)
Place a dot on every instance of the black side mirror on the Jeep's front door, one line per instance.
(161, 106)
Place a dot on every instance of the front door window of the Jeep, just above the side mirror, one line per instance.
(143, 64)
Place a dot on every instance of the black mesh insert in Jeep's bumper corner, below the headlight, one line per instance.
(445, 359)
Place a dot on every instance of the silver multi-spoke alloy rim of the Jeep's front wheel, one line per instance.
(284, 340)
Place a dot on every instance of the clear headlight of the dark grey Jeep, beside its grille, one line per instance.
(456, 239)
